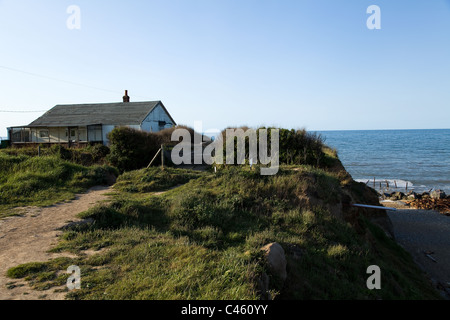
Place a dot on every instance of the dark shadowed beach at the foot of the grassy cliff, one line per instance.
(426, 235)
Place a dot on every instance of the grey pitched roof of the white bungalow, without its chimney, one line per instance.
(130, 113)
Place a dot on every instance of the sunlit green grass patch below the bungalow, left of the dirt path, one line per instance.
(41, 181)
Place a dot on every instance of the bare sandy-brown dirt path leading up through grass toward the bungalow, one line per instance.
(29, 237)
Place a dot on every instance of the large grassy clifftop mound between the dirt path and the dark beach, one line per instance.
(202, 240)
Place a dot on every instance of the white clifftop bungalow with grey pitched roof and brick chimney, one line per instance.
(81, 124)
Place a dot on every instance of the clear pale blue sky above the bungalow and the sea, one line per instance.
(294, 64)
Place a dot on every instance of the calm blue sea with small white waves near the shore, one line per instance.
(420, 158)
